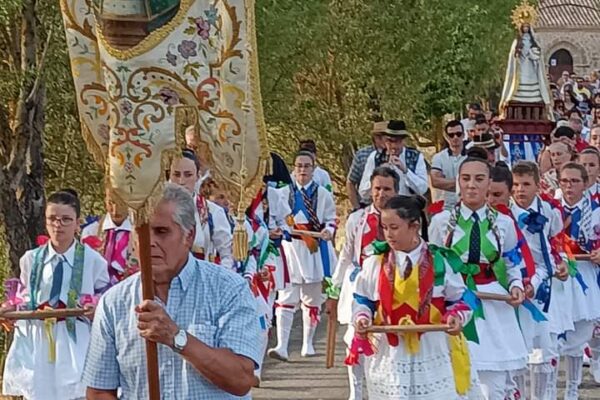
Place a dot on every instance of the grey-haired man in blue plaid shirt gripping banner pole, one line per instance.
(203, 320)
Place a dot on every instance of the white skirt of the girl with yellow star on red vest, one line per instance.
(392, 373)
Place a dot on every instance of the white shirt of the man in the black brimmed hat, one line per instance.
(416, 181)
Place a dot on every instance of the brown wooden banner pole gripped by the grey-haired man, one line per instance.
(143, 233)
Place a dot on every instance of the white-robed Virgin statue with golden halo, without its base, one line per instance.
(525, 80)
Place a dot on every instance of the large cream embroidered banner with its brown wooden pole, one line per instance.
(144, 72)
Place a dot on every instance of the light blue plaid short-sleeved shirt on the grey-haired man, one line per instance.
(211, 303)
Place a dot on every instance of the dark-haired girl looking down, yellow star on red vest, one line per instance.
(401, 286)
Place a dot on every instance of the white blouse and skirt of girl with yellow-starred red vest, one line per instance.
(392, 372)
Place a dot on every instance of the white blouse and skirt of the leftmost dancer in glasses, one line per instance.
(28, 371)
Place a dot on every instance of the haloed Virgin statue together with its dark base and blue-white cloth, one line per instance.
(526, 106)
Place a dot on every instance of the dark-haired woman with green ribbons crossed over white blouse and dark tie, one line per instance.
(486, 241)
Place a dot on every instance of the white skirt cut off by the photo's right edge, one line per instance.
(586, 306)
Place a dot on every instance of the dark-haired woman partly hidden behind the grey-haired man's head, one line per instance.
(213, 241)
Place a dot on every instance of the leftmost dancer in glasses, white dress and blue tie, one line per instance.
(45, 360)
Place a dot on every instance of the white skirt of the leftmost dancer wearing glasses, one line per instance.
(29, 373)
